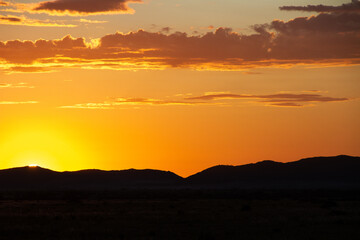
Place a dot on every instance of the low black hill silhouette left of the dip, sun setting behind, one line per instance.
(40, 178)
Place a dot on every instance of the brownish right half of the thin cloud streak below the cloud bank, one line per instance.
(280, 99)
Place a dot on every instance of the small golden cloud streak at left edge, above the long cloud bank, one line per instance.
(23, 21)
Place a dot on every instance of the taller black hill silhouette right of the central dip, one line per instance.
(318, 172)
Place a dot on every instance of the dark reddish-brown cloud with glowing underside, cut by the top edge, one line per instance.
(84, 7)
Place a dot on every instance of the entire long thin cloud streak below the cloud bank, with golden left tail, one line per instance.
(218, 99)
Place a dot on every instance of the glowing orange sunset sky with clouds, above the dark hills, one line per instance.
(177, 85)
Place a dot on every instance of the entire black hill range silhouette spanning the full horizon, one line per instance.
(318, 172)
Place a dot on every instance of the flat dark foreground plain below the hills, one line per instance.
(181, 214)
